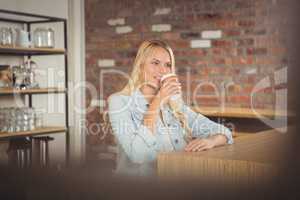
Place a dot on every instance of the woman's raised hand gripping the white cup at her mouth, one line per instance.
(169, 87)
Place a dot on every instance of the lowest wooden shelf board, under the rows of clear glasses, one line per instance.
(38, 131)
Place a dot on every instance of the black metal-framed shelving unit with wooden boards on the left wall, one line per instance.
(27, 19)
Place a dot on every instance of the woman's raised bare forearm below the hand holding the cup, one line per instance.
(152, 114)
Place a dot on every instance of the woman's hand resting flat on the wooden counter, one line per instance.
(201, 144)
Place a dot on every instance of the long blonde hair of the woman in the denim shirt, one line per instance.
(137, 78)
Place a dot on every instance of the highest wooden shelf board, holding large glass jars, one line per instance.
(20, 51)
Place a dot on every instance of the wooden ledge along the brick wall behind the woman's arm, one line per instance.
(239, 112)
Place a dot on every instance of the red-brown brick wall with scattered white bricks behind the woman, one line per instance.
(223, 49)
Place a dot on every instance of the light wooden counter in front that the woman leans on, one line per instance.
(253, 158)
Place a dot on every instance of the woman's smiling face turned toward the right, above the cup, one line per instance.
(156, 65)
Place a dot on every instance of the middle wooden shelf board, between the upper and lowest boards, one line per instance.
(11, 91)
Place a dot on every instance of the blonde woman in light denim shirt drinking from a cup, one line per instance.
(143, 121)
